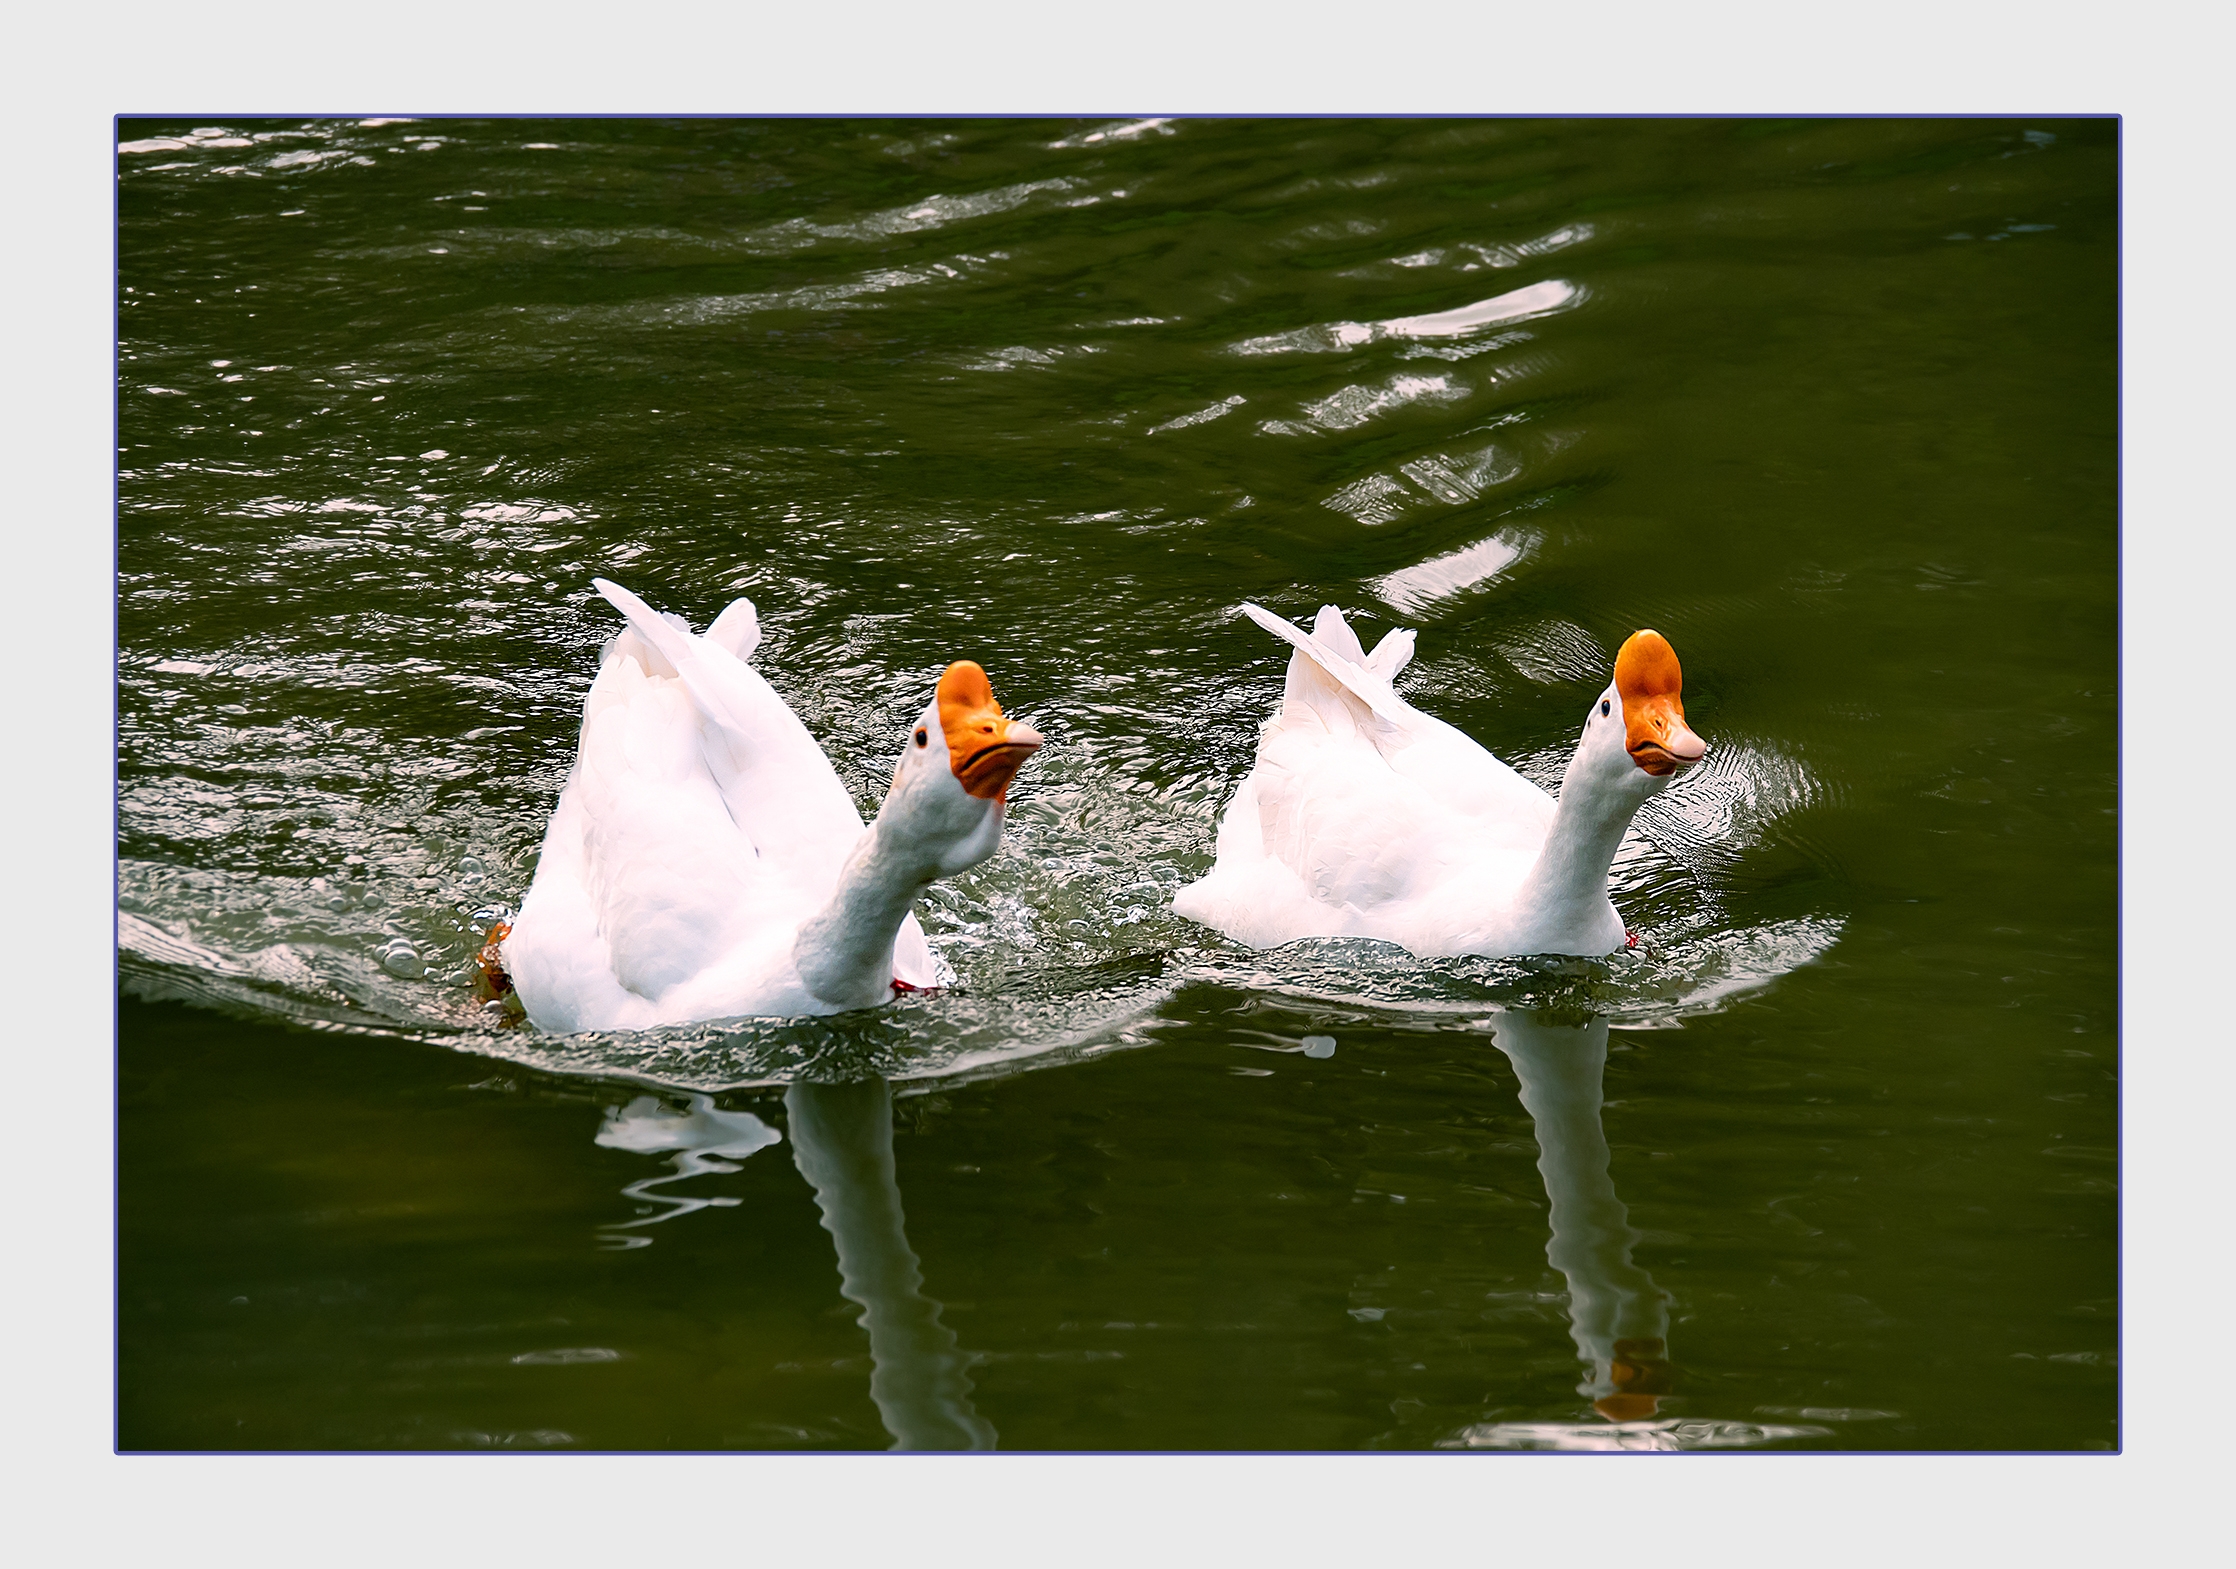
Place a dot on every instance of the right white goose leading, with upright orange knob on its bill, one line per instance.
(1367, 817)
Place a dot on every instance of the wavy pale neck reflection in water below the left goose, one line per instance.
(842, 1139)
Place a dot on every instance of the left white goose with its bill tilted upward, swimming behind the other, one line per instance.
(708, 864)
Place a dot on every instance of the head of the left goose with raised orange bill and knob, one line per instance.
(954, 779)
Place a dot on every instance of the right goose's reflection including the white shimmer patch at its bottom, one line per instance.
(1618, 1315)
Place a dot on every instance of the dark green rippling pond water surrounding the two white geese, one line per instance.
(1830, 1163)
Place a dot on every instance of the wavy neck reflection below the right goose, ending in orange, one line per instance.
(1618, 1315)
